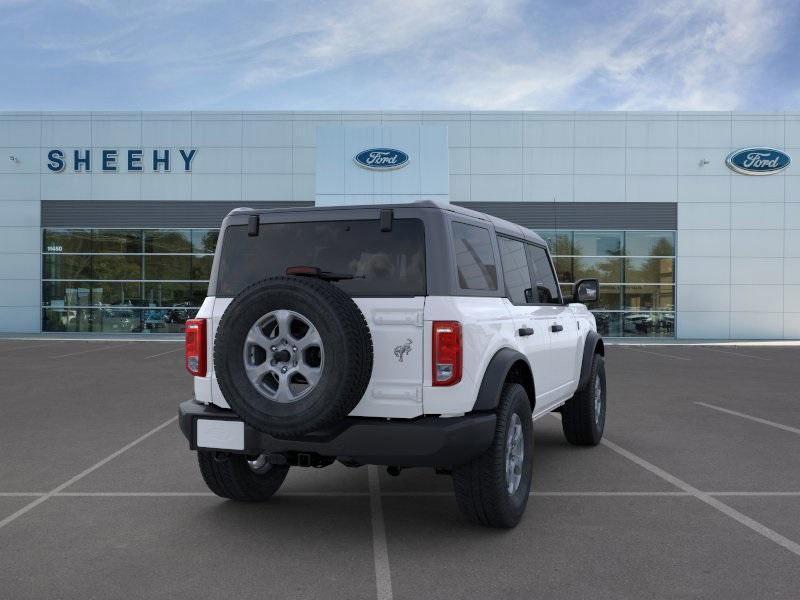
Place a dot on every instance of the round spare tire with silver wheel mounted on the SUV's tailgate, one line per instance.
(292, 355)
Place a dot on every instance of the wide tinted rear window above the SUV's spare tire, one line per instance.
(390, 263)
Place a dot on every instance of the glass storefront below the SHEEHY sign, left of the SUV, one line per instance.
(124, 280)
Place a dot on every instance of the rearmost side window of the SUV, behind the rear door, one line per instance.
(474, 257)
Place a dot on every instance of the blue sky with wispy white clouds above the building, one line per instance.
(400, 55)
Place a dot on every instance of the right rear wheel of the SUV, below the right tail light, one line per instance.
(493, 489)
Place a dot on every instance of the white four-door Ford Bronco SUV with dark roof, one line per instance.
(405, 335)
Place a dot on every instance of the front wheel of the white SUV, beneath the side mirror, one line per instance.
(583, 417)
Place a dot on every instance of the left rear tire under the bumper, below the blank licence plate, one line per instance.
(235, 479)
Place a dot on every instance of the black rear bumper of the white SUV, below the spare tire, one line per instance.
(426, 441)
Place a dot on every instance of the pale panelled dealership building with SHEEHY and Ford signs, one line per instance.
(690, 220)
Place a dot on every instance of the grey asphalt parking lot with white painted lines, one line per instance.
(694, 494)
